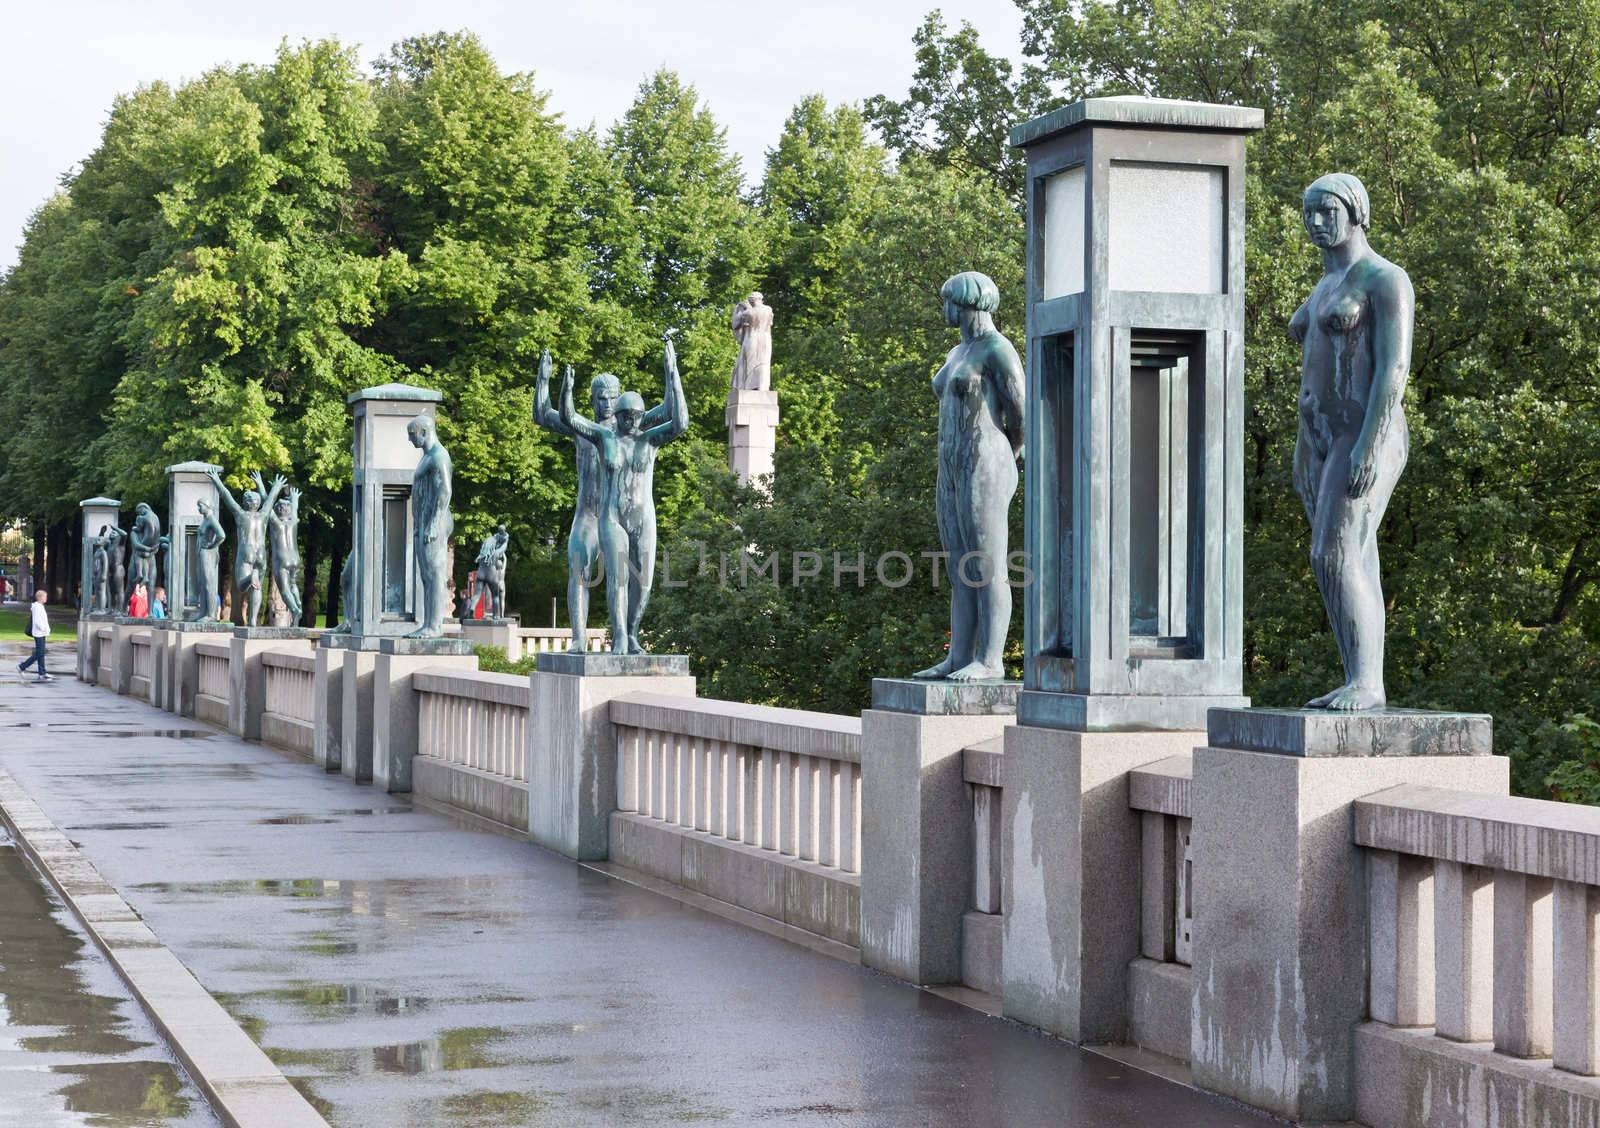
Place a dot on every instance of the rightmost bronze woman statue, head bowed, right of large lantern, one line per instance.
(1356, 354)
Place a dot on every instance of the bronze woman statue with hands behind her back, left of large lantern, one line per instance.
(980, 393)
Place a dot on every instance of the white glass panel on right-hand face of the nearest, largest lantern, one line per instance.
(1167, 228)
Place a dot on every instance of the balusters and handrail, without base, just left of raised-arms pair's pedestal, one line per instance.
(473, 719)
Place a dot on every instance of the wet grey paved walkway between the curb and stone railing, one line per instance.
(406, 969)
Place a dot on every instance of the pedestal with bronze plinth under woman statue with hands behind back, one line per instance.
(916, 809)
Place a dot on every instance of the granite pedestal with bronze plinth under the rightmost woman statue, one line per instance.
(1281, 938)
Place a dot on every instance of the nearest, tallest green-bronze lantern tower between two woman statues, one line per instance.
(1135, 402)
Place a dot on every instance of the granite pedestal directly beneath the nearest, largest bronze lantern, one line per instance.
(1071, 894)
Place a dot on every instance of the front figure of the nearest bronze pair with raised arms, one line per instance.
(628, 505)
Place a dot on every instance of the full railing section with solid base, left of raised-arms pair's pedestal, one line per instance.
(473, 743)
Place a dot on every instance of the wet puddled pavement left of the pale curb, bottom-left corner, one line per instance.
(74, 1047)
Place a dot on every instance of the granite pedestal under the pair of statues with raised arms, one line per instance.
(572, 743)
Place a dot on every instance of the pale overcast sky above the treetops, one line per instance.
(63, 62)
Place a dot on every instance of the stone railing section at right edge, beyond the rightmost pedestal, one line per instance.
(1484, 924)
